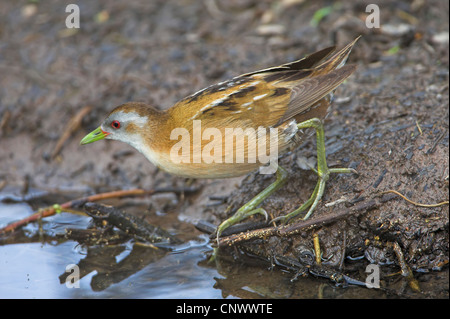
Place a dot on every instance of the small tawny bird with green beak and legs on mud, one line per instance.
(266, 111)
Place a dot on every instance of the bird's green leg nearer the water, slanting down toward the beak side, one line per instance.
(250, 208)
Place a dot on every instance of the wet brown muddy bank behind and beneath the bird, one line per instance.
(389, 120)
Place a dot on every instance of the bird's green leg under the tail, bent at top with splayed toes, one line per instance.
(323, 172)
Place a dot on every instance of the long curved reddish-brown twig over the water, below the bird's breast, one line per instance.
(52, 210)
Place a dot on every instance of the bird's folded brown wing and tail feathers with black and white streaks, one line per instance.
(271, 96)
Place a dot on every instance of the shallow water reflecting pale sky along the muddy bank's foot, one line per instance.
(35, 267)
